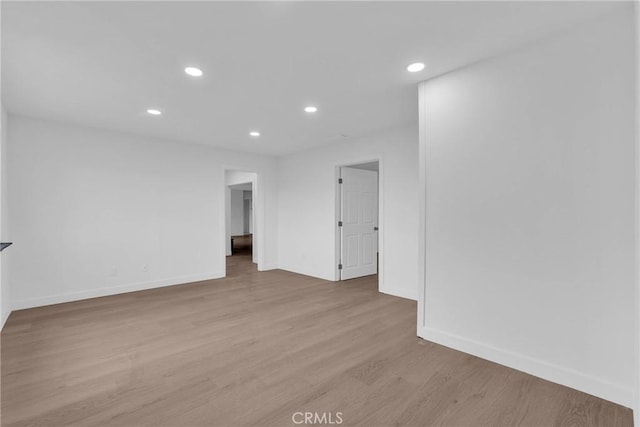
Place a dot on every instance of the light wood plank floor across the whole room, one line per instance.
(253, 349)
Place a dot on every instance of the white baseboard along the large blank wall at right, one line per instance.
(548, 371)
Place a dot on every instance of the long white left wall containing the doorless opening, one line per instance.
(91, 208)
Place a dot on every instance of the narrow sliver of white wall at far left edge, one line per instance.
(5, 236)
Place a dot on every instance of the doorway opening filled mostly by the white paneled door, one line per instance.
(358, 214)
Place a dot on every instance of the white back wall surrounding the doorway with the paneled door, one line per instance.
(307, 208)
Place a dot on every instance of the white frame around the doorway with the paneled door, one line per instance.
(381, 225)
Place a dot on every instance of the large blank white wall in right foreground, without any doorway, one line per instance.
(529, 161)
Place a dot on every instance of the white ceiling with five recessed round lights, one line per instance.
(103, 64)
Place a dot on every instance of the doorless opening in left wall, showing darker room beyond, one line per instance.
(240, 222)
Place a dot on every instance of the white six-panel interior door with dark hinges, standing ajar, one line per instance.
(359, 219)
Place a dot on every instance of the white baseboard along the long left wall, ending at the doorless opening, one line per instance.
(111, 290)
